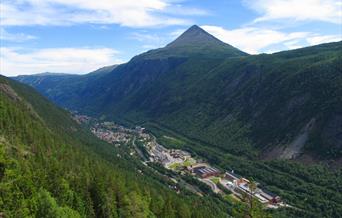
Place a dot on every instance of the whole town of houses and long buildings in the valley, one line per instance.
(181, 162)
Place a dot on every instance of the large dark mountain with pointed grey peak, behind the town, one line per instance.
(286, 105)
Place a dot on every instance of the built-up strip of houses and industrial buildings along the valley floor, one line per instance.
(237, 184)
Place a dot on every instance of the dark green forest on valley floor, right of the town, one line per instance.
(313, 190)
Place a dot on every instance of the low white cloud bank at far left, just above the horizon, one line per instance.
(16, 61)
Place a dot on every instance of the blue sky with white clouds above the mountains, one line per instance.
(79, 36)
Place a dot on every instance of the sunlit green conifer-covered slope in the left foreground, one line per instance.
(50, 167)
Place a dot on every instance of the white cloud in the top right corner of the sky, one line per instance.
(298, 10)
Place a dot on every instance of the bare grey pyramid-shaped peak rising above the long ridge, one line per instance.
(195, 35)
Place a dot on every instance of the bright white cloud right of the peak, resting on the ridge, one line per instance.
(257, 40)
